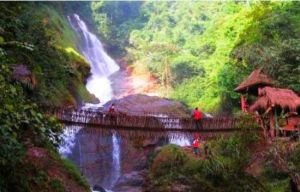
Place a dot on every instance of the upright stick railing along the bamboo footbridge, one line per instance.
(154, 122)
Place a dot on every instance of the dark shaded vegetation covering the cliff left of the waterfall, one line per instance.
(37, 36)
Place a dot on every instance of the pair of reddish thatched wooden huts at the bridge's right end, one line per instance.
(269, 102)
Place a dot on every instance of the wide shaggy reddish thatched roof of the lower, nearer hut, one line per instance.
(269, 96)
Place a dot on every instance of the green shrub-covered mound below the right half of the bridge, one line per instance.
(222, 171)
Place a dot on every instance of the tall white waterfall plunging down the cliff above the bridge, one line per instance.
(102, 66)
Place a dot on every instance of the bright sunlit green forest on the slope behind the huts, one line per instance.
(200, 51)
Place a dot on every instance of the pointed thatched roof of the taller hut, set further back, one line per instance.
(256, 78)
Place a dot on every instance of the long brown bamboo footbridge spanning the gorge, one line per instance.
(153, 125)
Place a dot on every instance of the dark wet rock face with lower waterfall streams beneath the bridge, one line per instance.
(103, 158)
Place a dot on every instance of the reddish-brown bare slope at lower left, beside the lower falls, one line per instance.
(53, 176)
